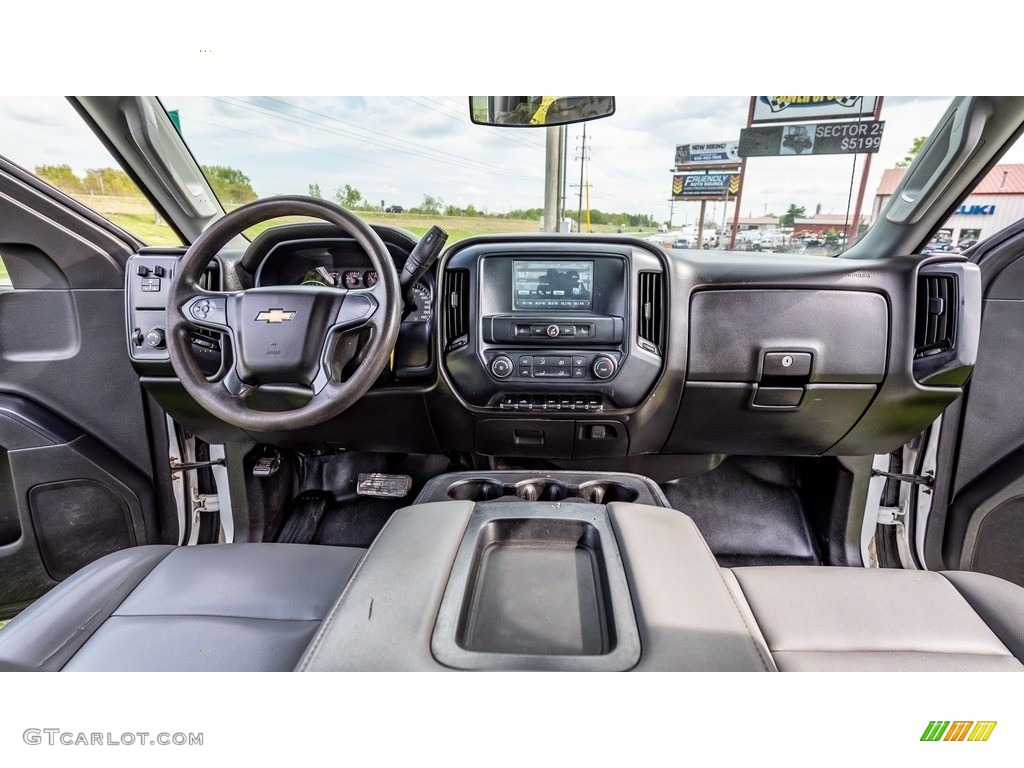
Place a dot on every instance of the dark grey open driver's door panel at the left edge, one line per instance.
(76, 430)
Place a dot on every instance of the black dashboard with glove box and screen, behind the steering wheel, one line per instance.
(591, 349)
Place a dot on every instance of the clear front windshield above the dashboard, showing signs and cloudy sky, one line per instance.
(667, 169)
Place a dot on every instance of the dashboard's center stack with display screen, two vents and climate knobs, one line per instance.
(564, 336)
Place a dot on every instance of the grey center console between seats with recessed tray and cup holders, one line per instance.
(514, 571)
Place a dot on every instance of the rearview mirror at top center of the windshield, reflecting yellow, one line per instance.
(538, 112)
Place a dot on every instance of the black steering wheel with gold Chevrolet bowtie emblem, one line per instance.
(289, 339)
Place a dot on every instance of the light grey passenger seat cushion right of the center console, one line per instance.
(840, 619)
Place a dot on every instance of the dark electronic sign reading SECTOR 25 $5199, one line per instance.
(823, 139)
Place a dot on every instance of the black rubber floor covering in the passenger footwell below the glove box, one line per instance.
(750, 513)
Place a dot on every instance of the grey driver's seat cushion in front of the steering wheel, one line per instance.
(228, 608)
